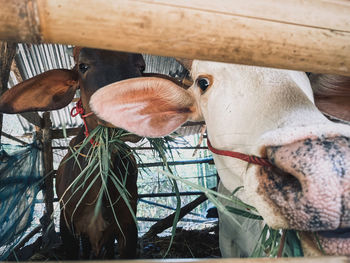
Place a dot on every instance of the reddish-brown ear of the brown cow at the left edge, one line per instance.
(50, 90)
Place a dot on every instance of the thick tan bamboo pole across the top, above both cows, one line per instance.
(308, 35)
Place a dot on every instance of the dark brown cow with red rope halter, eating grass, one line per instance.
(55, 89)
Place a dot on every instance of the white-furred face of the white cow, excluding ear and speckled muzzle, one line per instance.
(247, 108)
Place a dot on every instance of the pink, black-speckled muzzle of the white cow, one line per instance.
(308, 185)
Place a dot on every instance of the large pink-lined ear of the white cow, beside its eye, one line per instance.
(147, 106)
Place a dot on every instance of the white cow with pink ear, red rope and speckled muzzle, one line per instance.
(257, 111)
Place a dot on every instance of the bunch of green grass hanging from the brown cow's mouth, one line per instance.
(99, 168)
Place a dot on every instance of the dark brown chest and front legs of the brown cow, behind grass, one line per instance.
(81, 222)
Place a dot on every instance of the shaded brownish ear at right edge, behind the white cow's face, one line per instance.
(332, 95)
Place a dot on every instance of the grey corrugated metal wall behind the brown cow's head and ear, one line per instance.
(32, 60)
